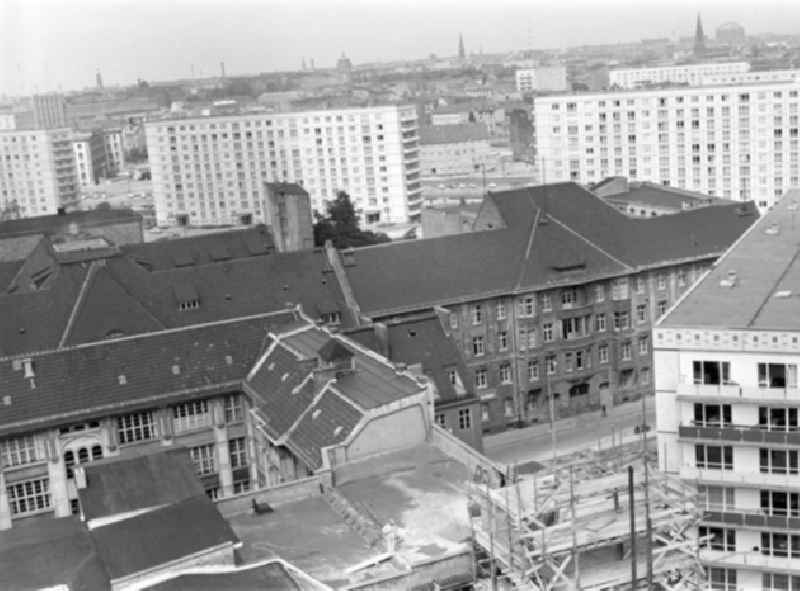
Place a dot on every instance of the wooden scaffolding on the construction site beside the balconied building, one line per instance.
(602, 520)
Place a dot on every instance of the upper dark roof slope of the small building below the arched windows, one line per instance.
(119, 486)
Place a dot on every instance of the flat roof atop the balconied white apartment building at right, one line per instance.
(756, 284)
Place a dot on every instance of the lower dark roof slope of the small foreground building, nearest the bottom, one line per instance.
(160, 536)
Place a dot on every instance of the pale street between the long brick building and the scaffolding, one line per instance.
(586, 430)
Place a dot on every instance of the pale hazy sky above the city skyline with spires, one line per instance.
(55, 44)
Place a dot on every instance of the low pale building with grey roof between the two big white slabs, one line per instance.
(455, 149)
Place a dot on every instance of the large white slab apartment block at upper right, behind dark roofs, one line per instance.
(736, 142)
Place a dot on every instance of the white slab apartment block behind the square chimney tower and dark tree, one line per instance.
(211, 170)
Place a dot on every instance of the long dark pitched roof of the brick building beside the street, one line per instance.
(554, 235)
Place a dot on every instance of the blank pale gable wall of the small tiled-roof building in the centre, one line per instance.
(399, 430)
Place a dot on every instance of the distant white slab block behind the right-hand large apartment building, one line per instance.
(691, 74)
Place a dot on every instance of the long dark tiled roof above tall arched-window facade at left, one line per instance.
(133, 372)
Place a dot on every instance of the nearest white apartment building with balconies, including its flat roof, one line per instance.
(727, 403)
